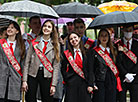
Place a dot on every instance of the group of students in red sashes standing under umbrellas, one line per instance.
(92, 71)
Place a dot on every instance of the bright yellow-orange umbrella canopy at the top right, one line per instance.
(117, 6)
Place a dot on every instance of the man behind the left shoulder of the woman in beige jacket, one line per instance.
(35, 25)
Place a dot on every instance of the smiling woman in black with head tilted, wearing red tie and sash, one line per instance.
(73, 71)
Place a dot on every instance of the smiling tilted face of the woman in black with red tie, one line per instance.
(74, 40)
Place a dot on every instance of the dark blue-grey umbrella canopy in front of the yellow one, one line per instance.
(117, 18)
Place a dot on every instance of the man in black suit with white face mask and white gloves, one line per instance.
(127, 64)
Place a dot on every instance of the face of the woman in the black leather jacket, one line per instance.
(104, 37)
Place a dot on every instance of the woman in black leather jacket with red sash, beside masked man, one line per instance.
(102, 69)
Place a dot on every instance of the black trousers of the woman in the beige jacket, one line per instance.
(44, 88)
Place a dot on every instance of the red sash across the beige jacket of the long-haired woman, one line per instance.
(44, 60)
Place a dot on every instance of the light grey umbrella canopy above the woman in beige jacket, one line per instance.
(27, 8)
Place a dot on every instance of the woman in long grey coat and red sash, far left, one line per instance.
(12, 52)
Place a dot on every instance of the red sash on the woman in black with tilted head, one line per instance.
(73, 64)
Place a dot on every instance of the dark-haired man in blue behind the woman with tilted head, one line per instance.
(79, 27)
